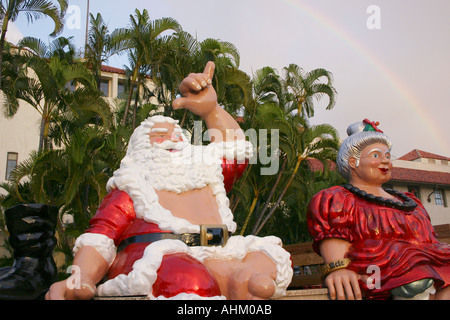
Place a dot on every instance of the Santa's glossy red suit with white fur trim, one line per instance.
(169, 268)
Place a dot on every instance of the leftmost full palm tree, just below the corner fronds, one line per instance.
(47, 89)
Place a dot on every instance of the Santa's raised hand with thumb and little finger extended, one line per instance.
(198, 94)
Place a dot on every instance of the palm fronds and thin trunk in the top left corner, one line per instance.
(33, 9)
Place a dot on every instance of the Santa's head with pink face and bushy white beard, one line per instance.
(160, 156)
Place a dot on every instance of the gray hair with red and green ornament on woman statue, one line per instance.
(360, 135)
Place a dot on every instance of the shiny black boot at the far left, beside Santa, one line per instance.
(32, 237)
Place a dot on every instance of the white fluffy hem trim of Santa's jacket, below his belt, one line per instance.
(140, 280)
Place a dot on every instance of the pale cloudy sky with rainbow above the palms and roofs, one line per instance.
(390, 58)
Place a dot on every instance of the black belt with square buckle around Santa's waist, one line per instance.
(210, 235)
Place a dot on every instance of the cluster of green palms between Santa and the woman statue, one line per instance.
(282, 103)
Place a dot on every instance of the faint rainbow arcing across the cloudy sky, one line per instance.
(387, 74)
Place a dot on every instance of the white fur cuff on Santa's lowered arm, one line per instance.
(104, 245)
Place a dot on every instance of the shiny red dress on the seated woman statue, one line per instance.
(402, 244)
